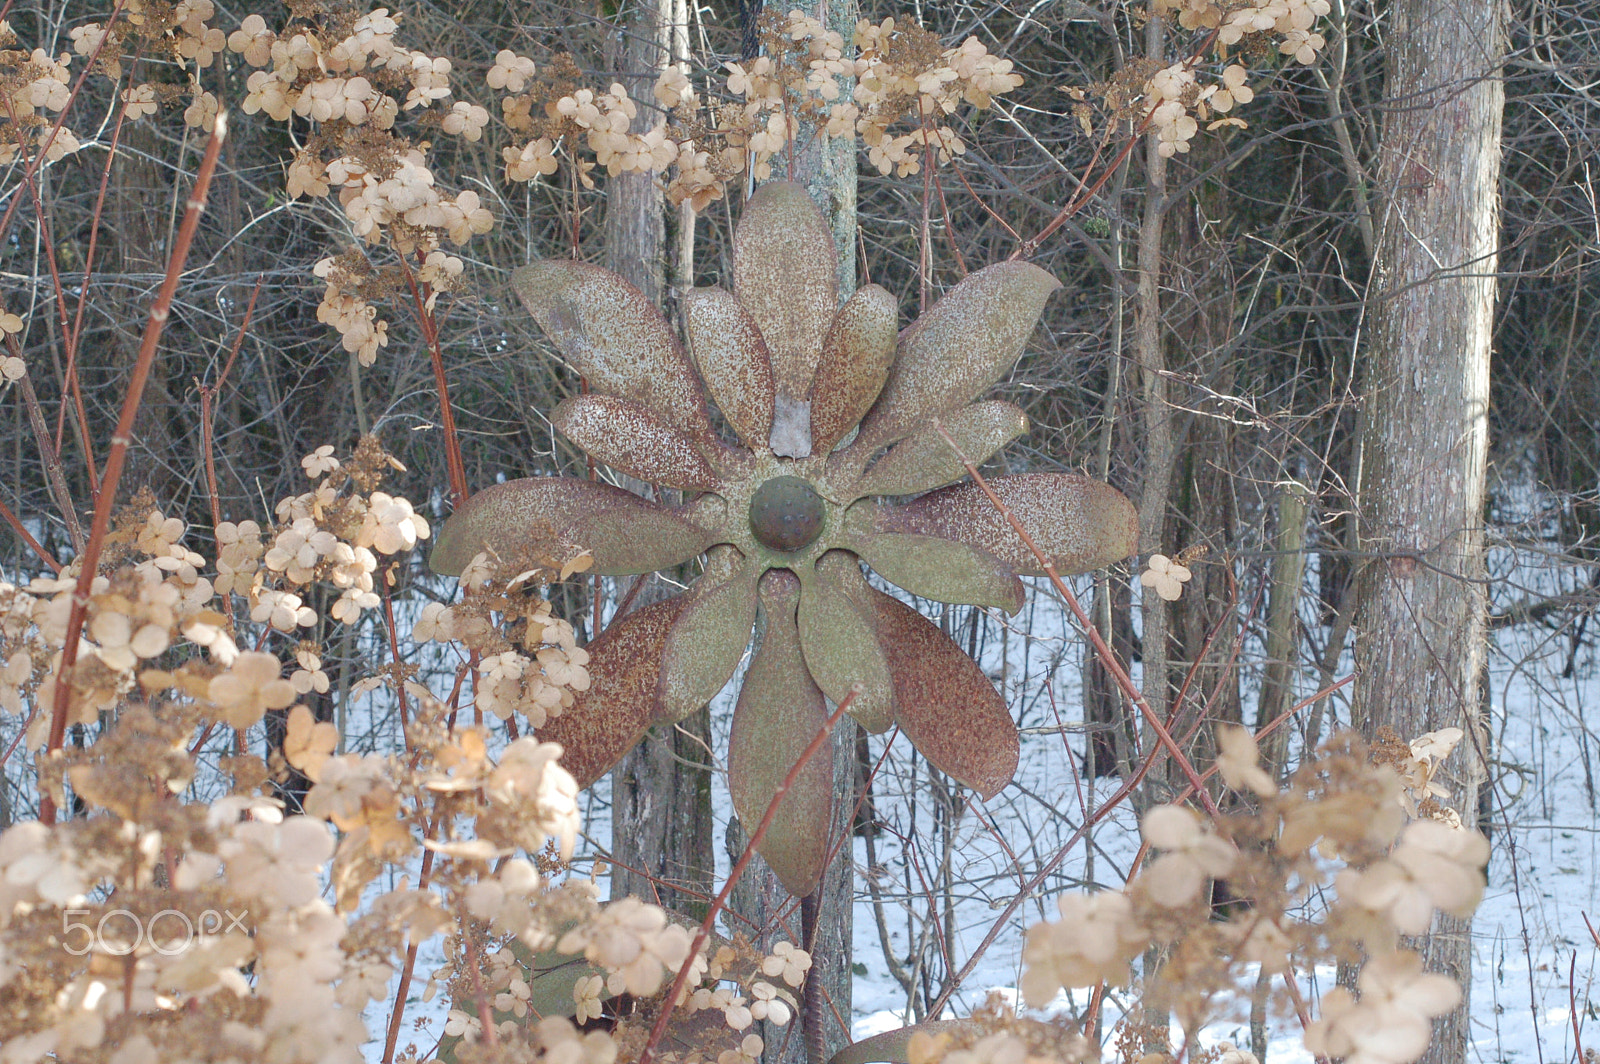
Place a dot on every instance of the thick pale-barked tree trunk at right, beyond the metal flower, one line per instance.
(1420, 646)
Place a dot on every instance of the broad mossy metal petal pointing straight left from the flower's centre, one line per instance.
(532, 519)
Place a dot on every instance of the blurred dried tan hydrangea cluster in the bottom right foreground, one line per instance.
(1393, 878)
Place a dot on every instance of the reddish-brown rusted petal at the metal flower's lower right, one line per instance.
(945, 703)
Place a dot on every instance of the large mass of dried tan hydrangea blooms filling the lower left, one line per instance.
(162, 927)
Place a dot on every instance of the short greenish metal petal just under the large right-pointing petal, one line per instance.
(942, 570)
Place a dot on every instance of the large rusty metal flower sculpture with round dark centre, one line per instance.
(788, 514)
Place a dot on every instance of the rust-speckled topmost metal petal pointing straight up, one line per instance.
(786, 276)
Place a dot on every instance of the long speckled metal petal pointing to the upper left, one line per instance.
(615, 338)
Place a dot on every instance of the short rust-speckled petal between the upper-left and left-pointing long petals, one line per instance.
(625, 436)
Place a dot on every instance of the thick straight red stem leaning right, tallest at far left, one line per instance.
(119, 444)
